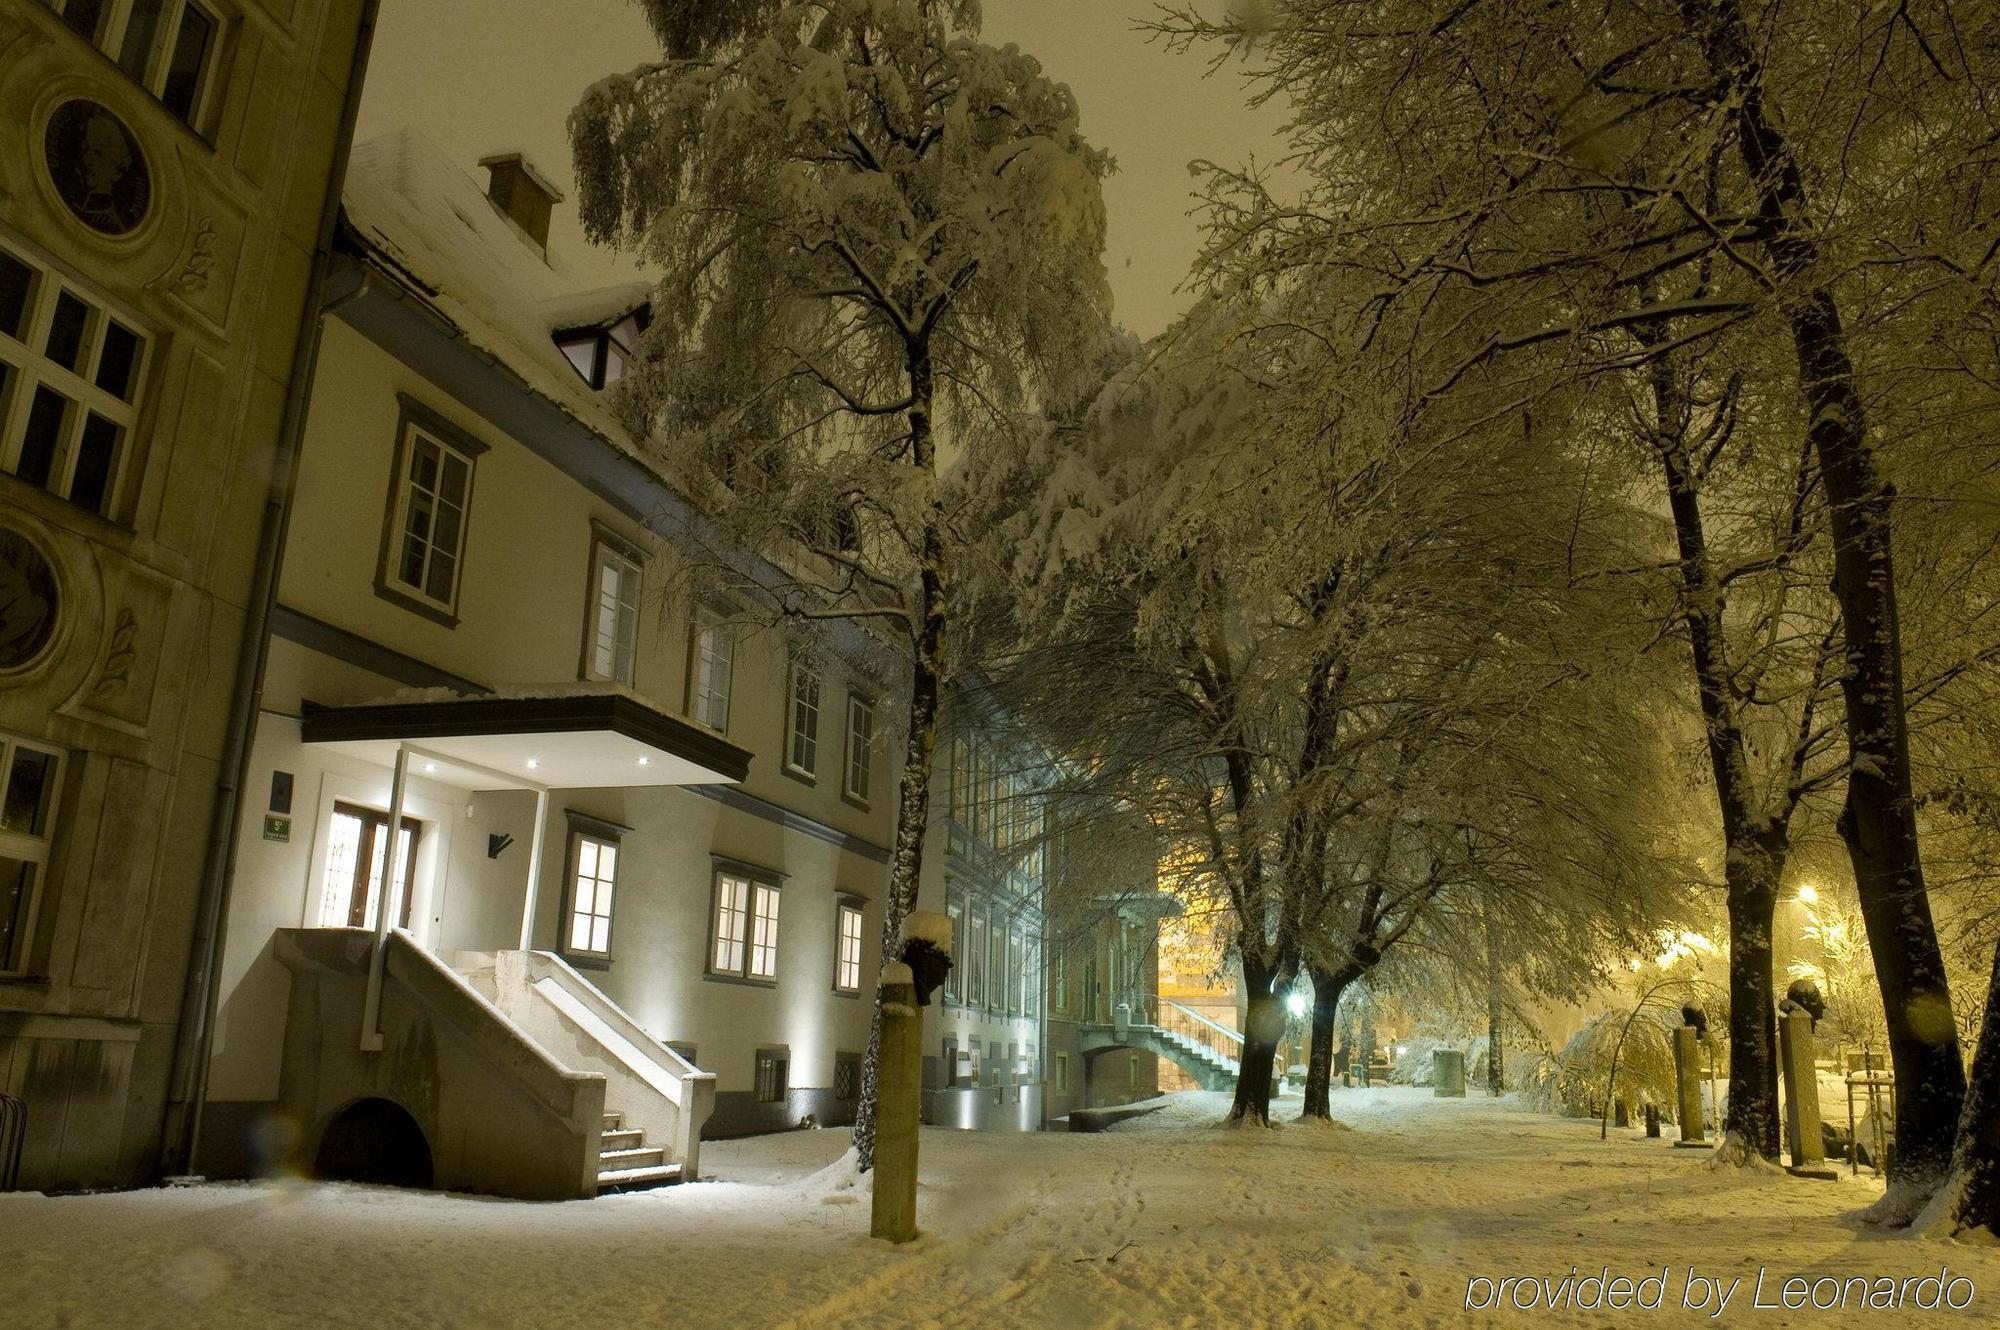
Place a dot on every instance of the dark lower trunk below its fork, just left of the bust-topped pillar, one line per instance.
(1753, 873)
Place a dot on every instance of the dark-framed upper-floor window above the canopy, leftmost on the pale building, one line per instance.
(431, 499)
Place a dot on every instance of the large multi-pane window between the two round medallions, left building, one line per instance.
(71, 377)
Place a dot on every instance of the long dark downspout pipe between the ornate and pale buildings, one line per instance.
(193, 1037)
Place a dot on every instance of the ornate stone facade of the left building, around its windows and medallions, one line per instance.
(153, 595)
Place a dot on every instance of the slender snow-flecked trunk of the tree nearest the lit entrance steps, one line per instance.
(913, 805)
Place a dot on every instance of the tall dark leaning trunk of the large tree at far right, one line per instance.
(1879, 821)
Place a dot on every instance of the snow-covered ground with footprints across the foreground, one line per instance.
(1159, 1223)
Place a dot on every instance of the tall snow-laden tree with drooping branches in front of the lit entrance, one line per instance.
(871, 231)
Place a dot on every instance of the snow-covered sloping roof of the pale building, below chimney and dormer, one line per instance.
(427, 215)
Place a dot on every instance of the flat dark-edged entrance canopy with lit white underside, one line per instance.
(571, 741)
